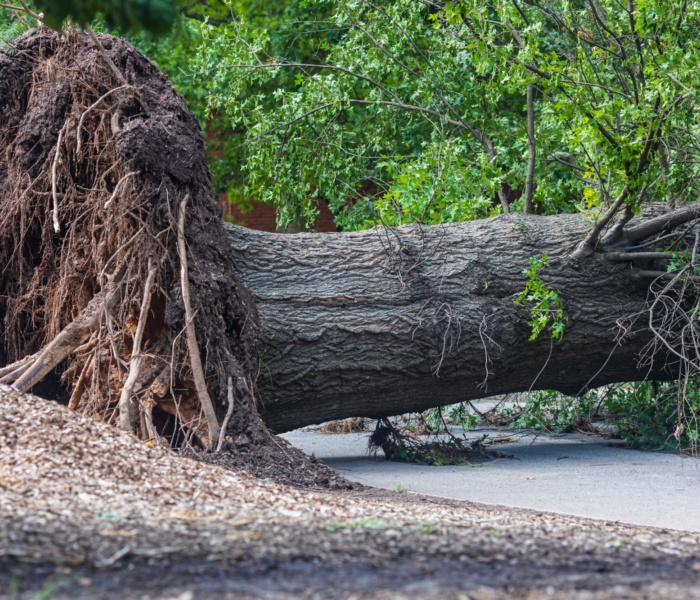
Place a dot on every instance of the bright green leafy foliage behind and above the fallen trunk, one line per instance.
(404, 111)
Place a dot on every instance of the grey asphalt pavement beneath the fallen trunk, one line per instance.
(581, 475)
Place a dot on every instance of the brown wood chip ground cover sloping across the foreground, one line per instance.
(87, 511)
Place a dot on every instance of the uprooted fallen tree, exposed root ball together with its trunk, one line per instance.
(120, 280)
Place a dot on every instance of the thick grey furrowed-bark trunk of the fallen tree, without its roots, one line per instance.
(388, 321)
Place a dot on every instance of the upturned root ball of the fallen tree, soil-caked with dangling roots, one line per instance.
(117, 285)
